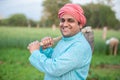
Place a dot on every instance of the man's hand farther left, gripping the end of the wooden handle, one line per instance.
(35, 45)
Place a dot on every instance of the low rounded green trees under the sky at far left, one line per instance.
(18, 20)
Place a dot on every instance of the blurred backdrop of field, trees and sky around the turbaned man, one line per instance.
(24, 21)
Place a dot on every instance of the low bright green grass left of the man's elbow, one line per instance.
(15, 65)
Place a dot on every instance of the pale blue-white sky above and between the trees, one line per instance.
(33, 8)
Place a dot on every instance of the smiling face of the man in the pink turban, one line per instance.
(69, 25)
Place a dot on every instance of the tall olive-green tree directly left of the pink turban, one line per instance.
(51, 8)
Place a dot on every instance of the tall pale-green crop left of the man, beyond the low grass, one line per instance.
(19, 37)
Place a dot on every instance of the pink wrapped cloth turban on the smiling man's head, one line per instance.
(74, 10)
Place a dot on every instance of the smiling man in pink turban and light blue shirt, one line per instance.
(70, 59)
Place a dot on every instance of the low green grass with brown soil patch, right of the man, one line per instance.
(105, 67)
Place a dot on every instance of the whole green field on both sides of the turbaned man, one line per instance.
(14, 64)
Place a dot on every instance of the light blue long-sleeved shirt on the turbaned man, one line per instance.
(69, 60)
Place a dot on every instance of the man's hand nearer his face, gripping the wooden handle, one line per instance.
(47, 42)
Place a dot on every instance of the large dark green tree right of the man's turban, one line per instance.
(99, 15)
